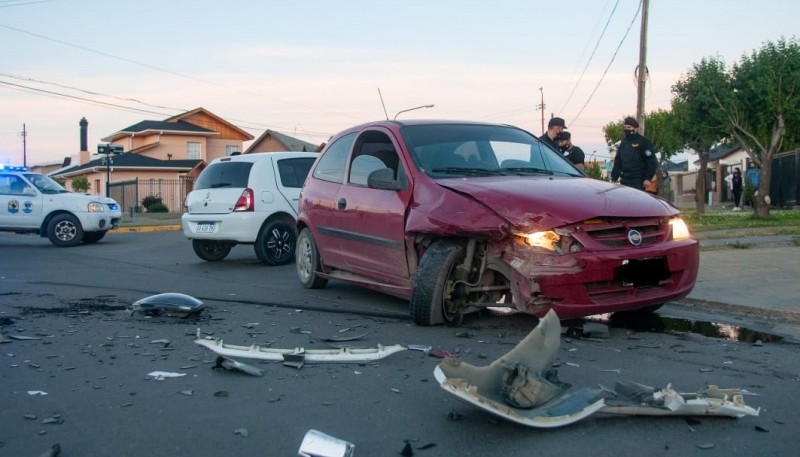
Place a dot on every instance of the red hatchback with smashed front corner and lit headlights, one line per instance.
(458, 216)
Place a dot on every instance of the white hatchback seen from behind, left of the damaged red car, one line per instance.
(247, 199)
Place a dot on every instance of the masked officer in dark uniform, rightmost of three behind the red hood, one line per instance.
(635, 162)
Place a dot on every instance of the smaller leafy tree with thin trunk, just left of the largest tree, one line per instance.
(696, 108)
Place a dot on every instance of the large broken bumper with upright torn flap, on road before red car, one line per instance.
(522, 386)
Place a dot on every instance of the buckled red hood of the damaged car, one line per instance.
(548, 202)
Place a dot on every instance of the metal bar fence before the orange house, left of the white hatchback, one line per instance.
(132, 193)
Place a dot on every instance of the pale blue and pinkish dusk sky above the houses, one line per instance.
(312, 68)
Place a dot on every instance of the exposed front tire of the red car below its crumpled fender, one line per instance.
(432, 298)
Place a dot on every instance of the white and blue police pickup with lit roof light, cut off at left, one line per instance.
(34, 203)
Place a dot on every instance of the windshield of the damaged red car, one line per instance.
(459, 150)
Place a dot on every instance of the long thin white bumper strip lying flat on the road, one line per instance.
(342, 355)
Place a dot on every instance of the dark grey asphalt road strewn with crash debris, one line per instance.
(92, 358)
